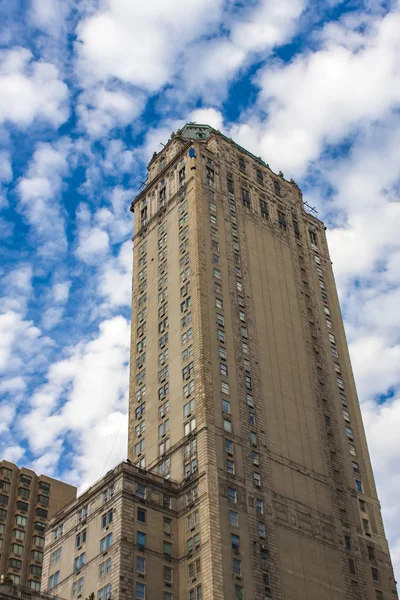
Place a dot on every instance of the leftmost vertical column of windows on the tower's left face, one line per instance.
(141, 346)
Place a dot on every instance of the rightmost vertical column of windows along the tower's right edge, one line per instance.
(346, 414)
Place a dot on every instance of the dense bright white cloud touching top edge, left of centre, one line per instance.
(136, 42)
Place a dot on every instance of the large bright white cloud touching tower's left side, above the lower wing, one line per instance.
(84, 399)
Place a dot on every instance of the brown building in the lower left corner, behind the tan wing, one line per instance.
(27, 502)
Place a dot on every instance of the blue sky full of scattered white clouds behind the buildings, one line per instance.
(88, 90)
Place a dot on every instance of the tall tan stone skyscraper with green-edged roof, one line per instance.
(242, 392)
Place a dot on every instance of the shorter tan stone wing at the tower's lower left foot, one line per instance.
(124, 538)
